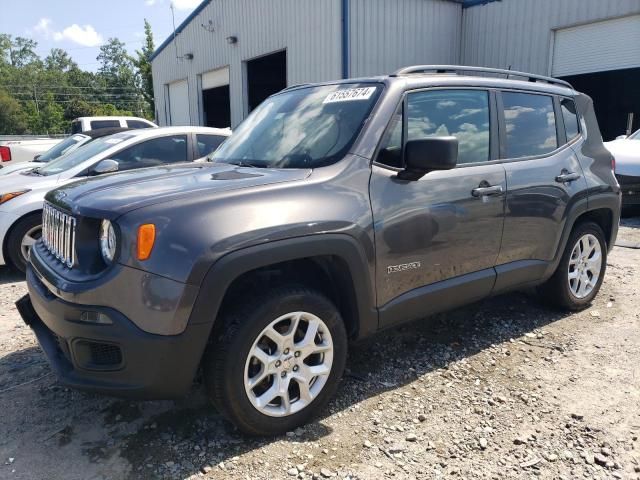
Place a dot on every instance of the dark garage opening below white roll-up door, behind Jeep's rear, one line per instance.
(615, 95)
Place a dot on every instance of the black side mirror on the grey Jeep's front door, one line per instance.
(427, 154)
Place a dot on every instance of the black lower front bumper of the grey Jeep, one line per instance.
(116, 359)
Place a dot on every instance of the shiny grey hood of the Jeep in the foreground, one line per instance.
(111, 196)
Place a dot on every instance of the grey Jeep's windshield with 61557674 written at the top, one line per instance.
(305, 128)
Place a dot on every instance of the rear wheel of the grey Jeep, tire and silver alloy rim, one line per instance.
(575, 293)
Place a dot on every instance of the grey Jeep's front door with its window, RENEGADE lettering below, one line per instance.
(445, 229)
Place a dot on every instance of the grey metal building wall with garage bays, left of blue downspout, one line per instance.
(310, 31)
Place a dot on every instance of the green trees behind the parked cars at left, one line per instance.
(43, 96)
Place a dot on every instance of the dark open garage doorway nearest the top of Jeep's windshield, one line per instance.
(265, 76)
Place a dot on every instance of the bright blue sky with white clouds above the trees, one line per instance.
(80, 27)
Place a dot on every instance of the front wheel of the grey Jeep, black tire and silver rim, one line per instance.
(229, 362)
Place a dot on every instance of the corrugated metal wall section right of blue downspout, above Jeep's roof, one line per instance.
(388, 34)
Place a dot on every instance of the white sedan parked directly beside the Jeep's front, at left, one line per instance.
(22, 193)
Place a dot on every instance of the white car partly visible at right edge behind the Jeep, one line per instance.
(626, 151)
